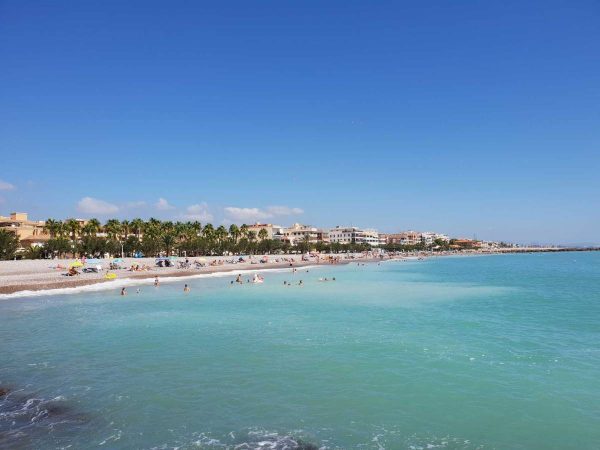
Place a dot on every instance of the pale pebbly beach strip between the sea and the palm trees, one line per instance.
(47, 274)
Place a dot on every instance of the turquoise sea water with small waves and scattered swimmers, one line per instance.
(456, 353)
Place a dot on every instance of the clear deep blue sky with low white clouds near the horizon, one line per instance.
(471, 118)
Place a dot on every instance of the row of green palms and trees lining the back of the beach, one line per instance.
(154, 237)
